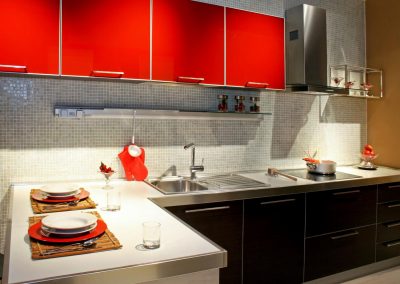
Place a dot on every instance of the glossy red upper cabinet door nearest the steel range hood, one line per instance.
(254, 50)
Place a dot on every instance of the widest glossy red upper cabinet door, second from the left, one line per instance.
(106, 38)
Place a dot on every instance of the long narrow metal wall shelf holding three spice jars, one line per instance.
(67, 112)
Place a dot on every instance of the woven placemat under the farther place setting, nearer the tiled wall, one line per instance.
(42, 207)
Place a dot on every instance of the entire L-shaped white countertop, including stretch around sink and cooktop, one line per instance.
(177, 240)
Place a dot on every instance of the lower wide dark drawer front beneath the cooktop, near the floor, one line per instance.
(338, 252)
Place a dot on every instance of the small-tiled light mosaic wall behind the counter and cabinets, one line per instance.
(36, 146)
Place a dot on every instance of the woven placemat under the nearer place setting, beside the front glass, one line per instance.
(42, 250)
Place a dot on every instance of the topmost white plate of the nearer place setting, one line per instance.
(69, 220)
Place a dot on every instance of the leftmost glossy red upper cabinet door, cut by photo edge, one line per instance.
(29, 36)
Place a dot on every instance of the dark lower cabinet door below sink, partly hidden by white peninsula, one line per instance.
(222, 223)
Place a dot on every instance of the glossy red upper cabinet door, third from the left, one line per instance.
(188, 42)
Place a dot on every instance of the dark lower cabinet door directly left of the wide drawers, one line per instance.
(274, 240)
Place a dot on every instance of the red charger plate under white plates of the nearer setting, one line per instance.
(34, 232)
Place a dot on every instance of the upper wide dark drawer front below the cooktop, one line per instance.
(335, 210)
